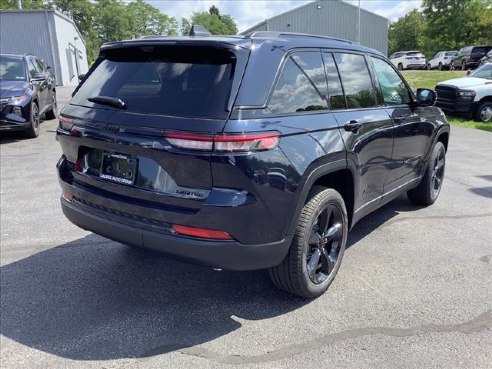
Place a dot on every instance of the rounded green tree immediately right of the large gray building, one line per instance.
(407, 33)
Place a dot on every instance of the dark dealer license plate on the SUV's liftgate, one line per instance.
(118, 168)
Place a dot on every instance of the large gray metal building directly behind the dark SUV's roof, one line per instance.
(334, 18)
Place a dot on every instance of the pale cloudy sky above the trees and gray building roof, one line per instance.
(247, 13)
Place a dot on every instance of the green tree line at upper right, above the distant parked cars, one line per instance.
(443, 25)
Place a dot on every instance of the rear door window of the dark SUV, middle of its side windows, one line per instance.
(356, 80)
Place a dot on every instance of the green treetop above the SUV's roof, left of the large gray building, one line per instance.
(213, 21)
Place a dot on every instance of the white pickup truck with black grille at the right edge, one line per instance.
(469, 96)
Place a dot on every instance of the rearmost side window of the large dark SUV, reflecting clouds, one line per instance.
(301, 85)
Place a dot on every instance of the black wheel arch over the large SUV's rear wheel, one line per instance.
(335, 175)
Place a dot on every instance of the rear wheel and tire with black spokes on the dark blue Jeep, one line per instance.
(314, 257)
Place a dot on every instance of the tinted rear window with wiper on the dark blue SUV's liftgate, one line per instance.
(174, 81)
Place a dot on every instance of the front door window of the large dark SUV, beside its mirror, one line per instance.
(394, 90)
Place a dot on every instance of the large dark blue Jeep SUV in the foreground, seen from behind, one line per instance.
(234, 152)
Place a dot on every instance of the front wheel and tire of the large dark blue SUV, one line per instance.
(428, 190)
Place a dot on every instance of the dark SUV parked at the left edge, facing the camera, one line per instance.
(27, 91)
